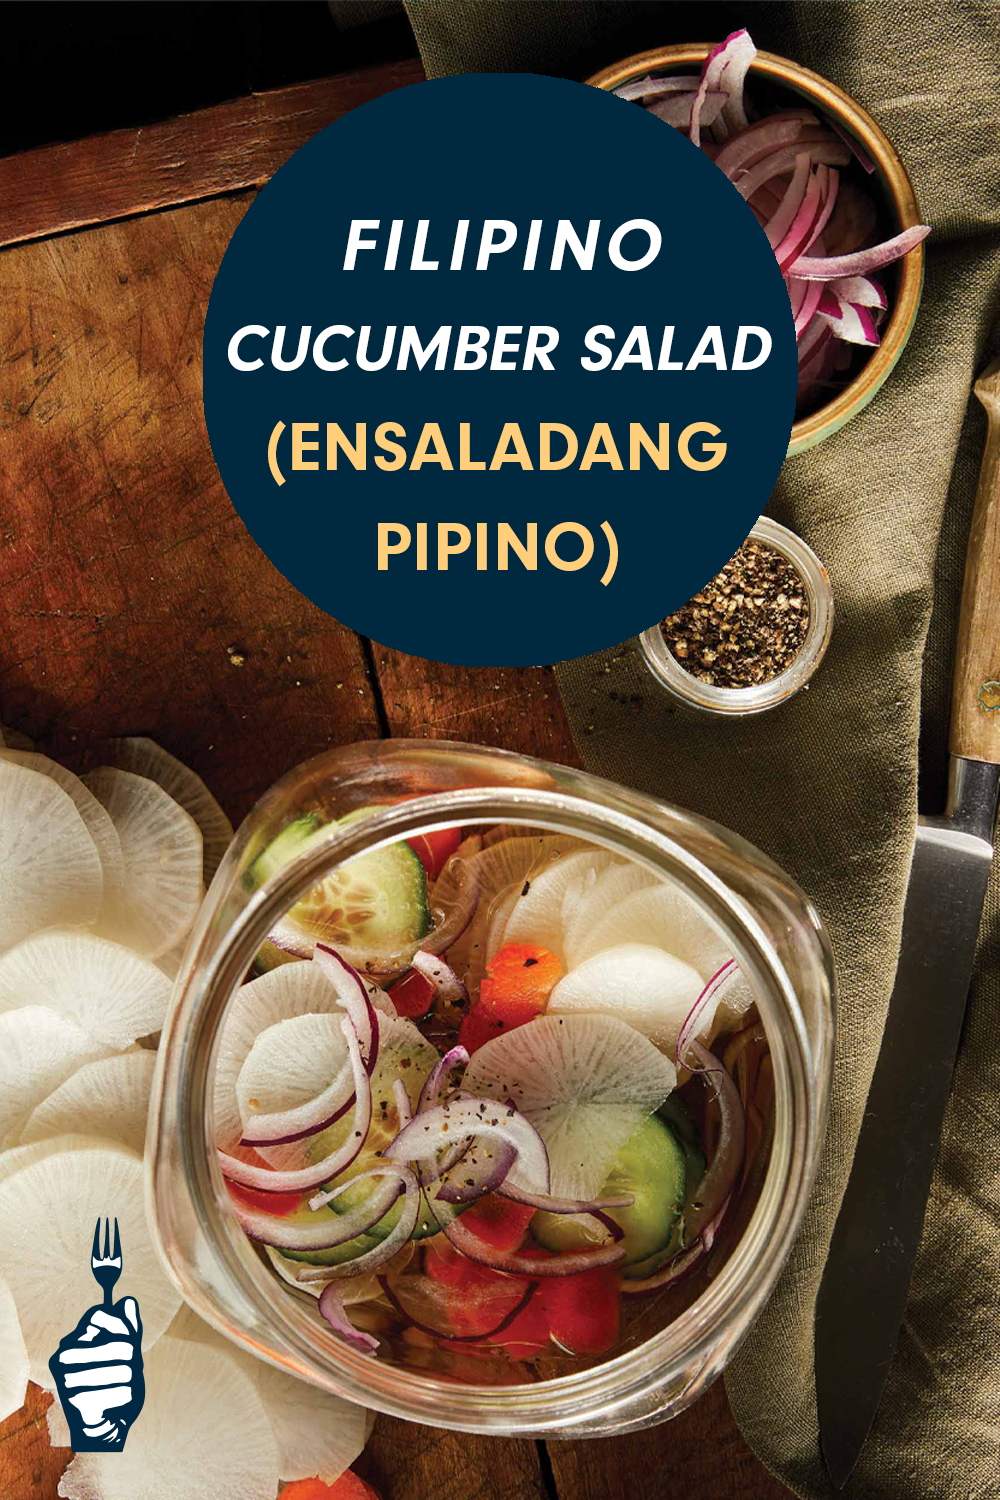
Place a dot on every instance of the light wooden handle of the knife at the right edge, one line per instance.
(977, 694)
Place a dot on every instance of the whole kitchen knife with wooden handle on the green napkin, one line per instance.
(867, 1277)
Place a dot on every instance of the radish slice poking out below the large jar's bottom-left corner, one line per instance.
(319, 1435)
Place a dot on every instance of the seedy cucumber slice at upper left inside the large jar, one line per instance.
(373, 910)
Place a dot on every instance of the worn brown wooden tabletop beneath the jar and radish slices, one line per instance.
(133, 601)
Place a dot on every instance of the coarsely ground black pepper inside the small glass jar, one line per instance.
(744, 628)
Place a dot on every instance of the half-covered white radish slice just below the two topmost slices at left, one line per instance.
(104, 988)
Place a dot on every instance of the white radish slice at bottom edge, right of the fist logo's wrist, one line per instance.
(203, 1435)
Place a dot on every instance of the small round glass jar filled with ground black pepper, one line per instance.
(755, 635)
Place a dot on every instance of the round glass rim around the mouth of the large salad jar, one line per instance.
(732, 1298)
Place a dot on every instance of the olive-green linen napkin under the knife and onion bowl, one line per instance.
(828, 784)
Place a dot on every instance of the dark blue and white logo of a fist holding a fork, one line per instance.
(98, 1369)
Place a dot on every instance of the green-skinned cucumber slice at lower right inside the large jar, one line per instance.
(651, 1166)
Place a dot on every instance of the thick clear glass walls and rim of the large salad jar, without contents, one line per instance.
(767, 922)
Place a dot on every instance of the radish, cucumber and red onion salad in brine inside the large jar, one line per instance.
(497, 1099)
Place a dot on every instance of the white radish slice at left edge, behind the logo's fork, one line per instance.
(49, 1211)
